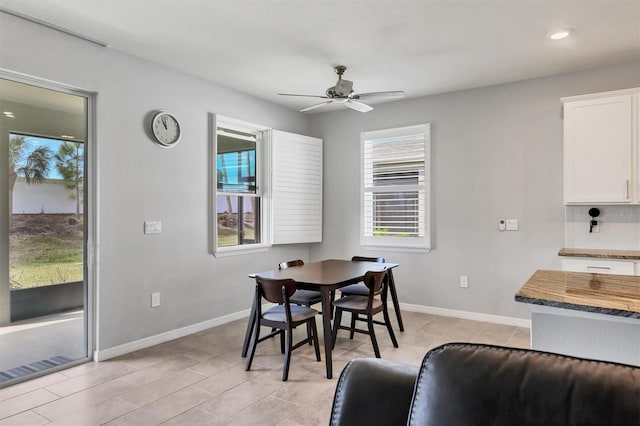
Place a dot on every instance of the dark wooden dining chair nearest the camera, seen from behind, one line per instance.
(282, 318)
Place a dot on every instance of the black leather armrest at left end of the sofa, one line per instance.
(373, 392)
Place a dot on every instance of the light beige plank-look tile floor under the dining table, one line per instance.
(200, 379)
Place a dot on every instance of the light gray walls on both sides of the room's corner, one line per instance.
(496, 151)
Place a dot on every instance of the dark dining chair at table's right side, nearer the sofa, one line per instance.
(368, 306)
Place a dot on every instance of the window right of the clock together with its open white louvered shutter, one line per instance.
(265, 187)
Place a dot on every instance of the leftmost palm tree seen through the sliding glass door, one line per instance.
(33, 164)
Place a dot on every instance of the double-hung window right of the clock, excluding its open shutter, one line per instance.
(239, 201)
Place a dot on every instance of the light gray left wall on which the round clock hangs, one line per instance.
(137, 181)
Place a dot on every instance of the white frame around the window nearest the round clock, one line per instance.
(262, 185)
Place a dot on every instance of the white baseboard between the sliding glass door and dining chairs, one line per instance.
(104, 354)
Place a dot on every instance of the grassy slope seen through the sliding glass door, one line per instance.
(38, 260)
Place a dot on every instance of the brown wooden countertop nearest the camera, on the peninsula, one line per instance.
(600, 293)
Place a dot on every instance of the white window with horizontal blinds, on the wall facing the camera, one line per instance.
(395, 188)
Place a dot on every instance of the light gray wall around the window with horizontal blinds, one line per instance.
(496, 153)
